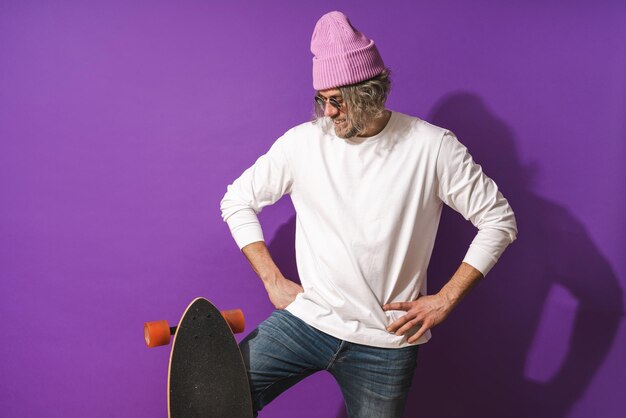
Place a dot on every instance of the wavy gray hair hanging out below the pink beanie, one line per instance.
(363, 101)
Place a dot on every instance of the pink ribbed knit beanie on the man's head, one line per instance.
(341, 54)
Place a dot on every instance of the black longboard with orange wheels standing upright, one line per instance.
(207, 376)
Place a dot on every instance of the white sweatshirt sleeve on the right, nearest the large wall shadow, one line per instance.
(465, 188)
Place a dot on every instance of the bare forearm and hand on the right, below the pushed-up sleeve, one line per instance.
(429, 311)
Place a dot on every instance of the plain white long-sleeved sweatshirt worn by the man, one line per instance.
(367, 216)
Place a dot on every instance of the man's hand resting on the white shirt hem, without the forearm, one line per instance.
(426, 311)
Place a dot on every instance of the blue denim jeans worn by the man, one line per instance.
(284, 350)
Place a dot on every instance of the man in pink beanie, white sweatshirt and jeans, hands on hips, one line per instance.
(368, 186)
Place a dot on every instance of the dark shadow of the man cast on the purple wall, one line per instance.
(528, 340)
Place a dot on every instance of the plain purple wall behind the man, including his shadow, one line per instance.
(121, 123)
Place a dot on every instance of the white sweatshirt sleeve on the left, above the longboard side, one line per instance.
(261, 185)
